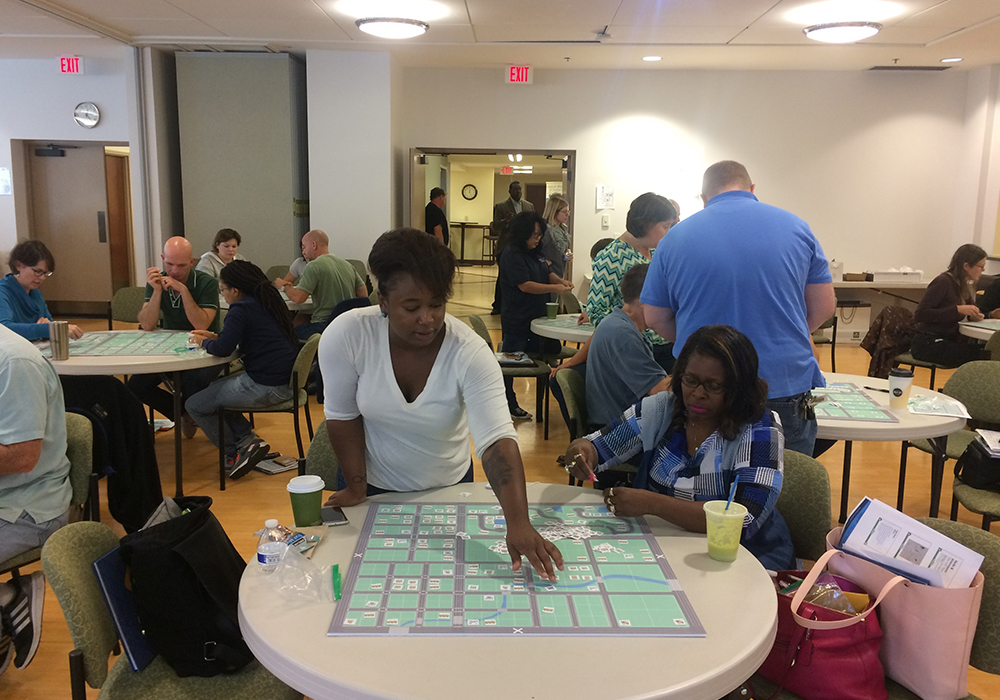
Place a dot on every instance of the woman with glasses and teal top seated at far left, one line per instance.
(22, 306)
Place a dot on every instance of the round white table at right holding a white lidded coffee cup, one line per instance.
(910, 426)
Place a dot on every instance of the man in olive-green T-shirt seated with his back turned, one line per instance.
(329, 279)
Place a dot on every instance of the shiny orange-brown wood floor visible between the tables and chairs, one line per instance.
(245, 504)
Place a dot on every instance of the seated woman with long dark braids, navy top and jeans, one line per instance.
(258, 323)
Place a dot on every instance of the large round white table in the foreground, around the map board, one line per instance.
(735, 602)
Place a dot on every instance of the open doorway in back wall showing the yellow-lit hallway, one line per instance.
(477, 179)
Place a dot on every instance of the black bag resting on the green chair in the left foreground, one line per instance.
(186, 577)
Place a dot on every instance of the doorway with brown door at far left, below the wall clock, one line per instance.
(77, 201)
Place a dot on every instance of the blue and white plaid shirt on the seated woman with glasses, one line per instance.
(669, 469)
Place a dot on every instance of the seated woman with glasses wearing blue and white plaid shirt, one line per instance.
(695, 440)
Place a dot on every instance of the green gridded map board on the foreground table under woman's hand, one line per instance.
(443, 568)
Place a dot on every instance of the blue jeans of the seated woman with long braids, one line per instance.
(233, 392)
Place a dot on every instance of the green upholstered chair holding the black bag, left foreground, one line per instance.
(67, 560)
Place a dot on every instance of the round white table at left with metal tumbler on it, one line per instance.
(83, 365)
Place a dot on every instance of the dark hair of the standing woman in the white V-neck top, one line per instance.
(408, 251)
